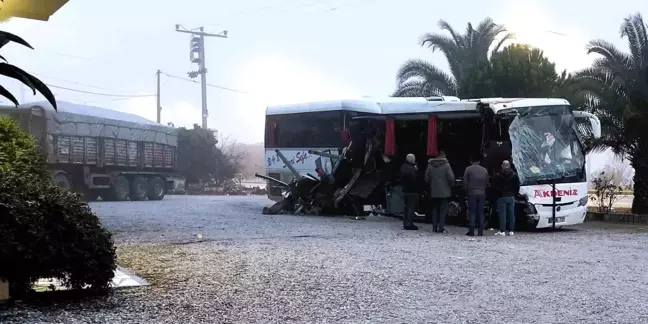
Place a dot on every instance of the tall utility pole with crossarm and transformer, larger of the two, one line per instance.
(197, 55)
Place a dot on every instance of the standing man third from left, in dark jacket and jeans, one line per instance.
(475, 183)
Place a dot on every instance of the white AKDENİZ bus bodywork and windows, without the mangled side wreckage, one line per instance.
(538, 135)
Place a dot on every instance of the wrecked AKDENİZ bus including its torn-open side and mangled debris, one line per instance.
(539, 136)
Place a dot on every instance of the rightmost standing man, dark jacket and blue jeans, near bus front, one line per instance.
(506, 185)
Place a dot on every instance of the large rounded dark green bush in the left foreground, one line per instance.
(46, 232)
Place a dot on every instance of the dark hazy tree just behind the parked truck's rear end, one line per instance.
(199, 157)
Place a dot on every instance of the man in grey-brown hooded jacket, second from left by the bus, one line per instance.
(440, 178)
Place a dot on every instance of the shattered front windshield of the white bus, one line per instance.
(545, 146)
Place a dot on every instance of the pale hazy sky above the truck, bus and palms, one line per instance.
(279, 51)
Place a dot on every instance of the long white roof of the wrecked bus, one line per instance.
(392, 106)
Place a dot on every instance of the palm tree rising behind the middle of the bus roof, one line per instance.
(466, 54)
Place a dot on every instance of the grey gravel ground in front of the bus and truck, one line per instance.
(218, 260)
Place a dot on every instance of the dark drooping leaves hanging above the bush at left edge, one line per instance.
(17, 73)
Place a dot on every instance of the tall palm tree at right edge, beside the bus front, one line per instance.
(615, 88)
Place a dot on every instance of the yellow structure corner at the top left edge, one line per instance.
(30, 9)
